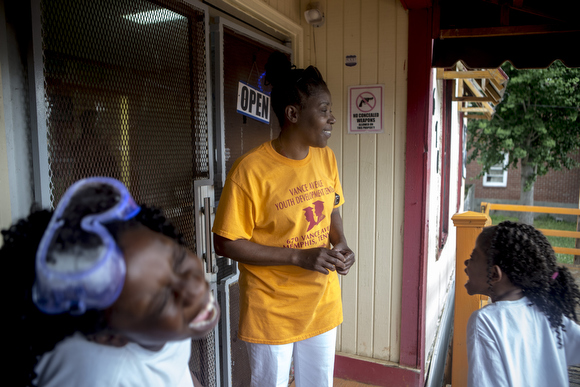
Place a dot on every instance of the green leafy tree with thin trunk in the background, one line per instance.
(536, 123)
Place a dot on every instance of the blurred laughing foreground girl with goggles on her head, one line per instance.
(103, 293)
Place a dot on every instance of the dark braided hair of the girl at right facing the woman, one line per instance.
(527, 258)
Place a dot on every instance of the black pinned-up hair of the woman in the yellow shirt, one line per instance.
(290, 86)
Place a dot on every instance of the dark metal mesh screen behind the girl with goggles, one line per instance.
(126, 97)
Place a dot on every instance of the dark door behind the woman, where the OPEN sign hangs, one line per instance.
(239, 55)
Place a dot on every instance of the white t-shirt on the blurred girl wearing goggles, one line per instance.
(76, 361)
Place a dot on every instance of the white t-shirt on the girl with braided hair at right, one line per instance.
(510, 343)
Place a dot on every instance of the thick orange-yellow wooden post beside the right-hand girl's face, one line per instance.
(469, 225)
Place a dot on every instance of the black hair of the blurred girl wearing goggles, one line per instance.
(31, 332)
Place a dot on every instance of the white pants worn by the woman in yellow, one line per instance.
(313, 362)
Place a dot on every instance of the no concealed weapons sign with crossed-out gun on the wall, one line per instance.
(365, 109)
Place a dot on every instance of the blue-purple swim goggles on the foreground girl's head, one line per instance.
(81, 278)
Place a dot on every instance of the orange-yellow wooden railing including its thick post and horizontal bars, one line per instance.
(469, 226)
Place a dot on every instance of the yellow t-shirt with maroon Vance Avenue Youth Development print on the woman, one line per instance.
(275, 201)
